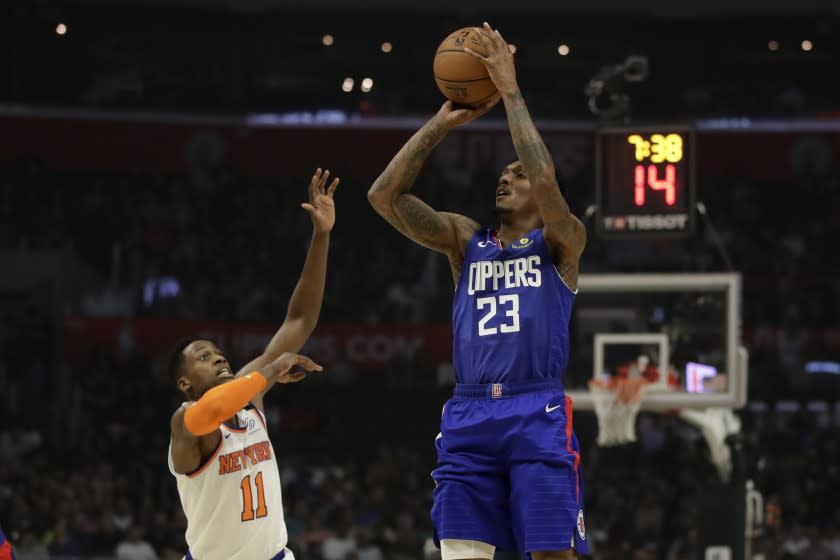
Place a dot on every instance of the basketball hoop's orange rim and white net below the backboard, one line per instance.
(617, 404)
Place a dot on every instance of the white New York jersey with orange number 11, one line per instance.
(233, 502)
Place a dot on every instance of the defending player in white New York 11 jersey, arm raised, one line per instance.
(220, 454)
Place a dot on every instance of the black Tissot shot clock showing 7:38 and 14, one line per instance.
(645, 181)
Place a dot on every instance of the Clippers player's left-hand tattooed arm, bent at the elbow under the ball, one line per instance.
(390, 197)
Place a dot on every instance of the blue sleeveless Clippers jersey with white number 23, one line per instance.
(510, 316)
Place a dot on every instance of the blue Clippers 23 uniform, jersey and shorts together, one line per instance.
(508, 470)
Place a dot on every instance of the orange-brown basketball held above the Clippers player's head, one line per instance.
(460, 76)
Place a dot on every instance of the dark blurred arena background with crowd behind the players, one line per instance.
(152, 160)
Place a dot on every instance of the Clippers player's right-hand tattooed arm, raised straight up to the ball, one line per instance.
(563, 231)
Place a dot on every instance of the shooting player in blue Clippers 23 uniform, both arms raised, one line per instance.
(508, 473)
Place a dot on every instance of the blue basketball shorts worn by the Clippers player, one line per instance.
(508, 471)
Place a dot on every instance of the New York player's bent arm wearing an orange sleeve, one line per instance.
(202, 418)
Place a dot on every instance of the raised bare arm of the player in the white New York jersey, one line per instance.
(305, 303)
